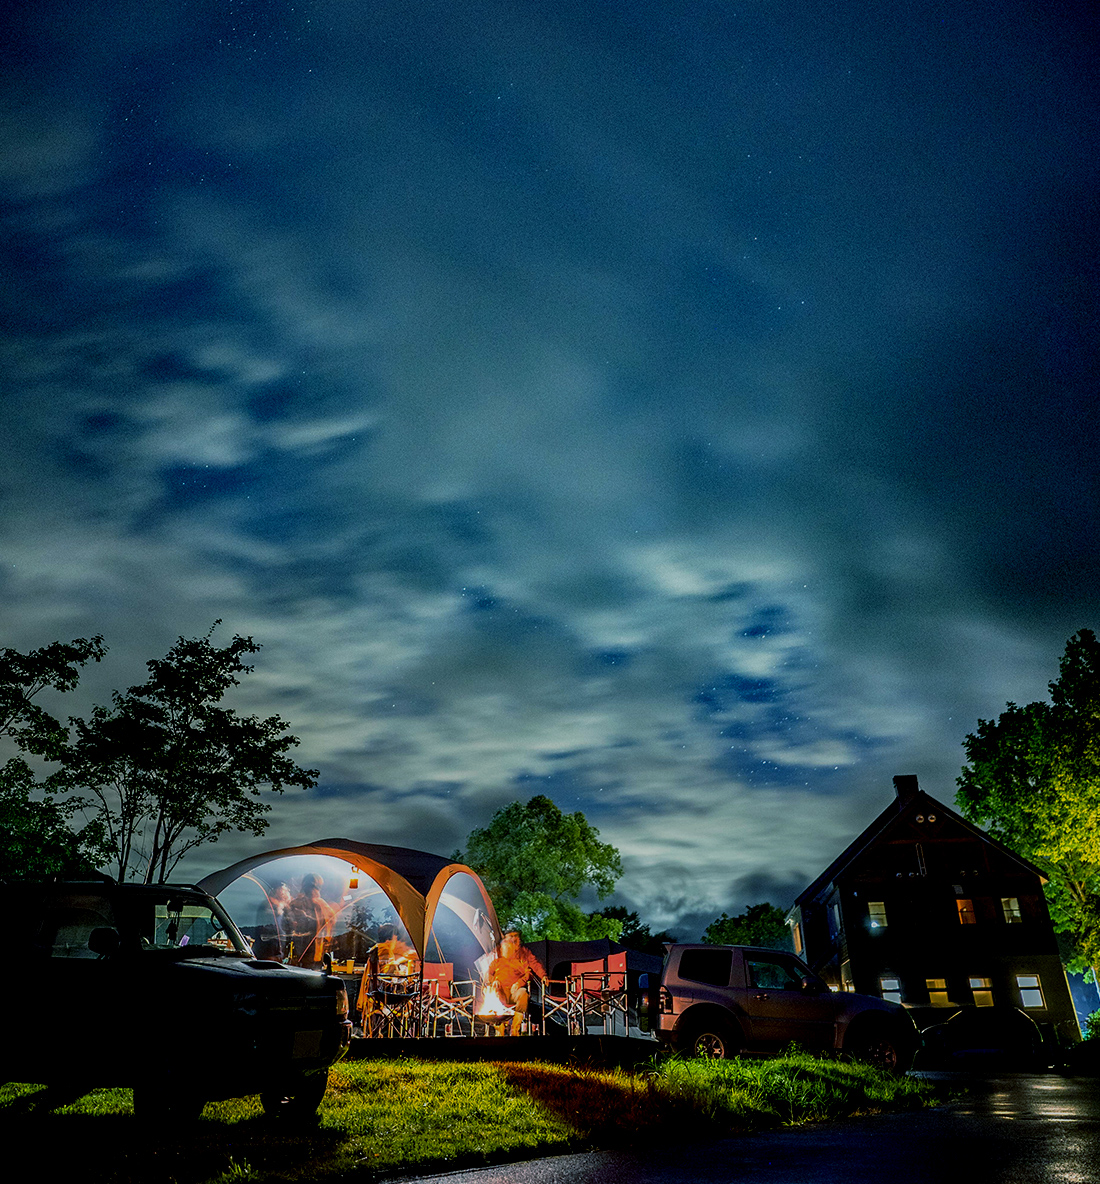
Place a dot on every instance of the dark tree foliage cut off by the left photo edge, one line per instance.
(36, 834)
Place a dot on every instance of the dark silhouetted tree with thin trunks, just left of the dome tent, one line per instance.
(169, 769)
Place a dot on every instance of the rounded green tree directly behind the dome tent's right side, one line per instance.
(536, 861)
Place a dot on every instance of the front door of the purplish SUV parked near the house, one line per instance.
(781, 1008)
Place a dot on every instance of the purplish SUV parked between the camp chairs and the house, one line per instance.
(718, 1001)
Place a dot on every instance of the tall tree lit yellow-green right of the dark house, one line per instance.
(1033, 781)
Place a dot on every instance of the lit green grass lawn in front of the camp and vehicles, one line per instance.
(382, 1119)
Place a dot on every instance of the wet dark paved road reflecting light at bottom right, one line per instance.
(1013, 1130)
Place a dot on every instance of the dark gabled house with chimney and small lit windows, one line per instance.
(928, 910)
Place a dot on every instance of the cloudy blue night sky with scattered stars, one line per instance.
(685, 410)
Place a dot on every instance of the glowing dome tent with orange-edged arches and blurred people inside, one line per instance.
(438, 908)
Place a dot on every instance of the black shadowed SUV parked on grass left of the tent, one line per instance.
(153, 987)
